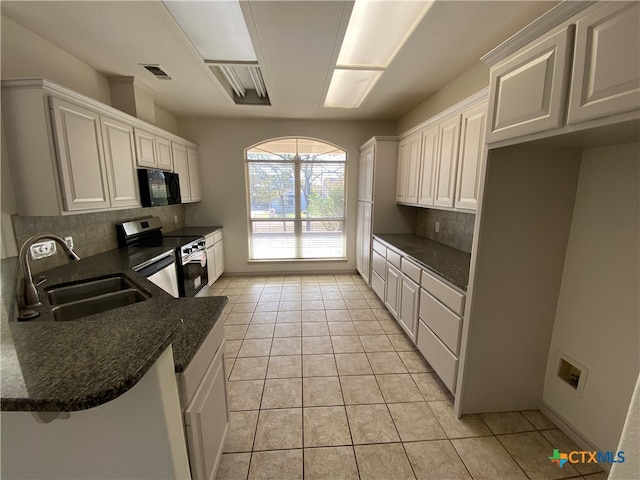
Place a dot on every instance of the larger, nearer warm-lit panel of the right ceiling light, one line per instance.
(378, 29)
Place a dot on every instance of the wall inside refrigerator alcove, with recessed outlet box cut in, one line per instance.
(597, 318)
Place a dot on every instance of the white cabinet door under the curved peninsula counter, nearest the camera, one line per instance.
(206, 420)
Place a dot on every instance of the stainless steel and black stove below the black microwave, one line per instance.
(190, 252)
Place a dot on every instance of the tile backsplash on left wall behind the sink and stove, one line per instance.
(92, 233)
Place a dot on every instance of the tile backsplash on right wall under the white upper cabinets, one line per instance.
(456, 228)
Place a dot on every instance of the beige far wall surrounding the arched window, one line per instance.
(222, 143)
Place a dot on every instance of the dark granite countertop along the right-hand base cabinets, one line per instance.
(447, 262)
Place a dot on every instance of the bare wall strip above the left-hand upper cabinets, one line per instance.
(26, 55)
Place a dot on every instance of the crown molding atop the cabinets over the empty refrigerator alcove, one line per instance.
(554, 17)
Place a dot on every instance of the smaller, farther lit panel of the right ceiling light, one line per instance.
(349, 88)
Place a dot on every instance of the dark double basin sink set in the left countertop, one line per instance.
(73, 301)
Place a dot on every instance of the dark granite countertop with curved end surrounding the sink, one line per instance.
(75, 365)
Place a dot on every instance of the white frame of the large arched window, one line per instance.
(298, 219)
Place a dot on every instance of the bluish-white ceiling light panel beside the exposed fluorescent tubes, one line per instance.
(216, 29)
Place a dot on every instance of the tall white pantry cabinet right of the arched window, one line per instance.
(376, 210)
